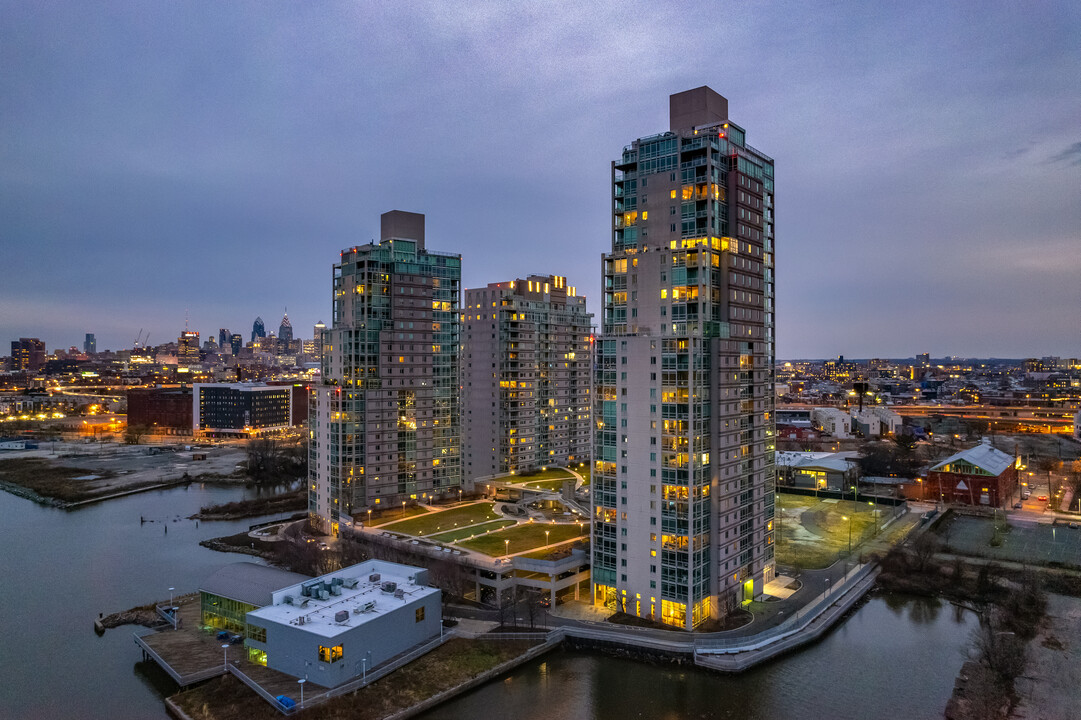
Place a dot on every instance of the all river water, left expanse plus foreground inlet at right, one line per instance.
(893, 658)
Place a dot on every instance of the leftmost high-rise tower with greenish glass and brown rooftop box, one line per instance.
(385, 422)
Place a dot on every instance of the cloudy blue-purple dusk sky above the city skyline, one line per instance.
(210, 161)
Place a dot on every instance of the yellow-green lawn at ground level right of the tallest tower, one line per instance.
(819, 537)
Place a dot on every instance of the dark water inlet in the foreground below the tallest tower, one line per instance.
(865, 669)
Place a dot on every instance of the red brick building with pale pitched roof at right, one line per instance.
(978, 476)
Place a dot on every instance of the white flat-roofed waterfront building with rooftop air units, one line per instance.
(331, 630)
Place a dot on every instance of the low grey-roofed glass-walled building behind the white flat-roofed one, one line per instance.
(228, 596)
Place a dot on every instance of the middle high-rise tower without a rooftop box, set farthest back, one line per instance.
(526, 377)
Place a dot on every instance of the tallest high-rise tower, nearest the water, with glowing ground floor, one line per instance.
(684, 404)
